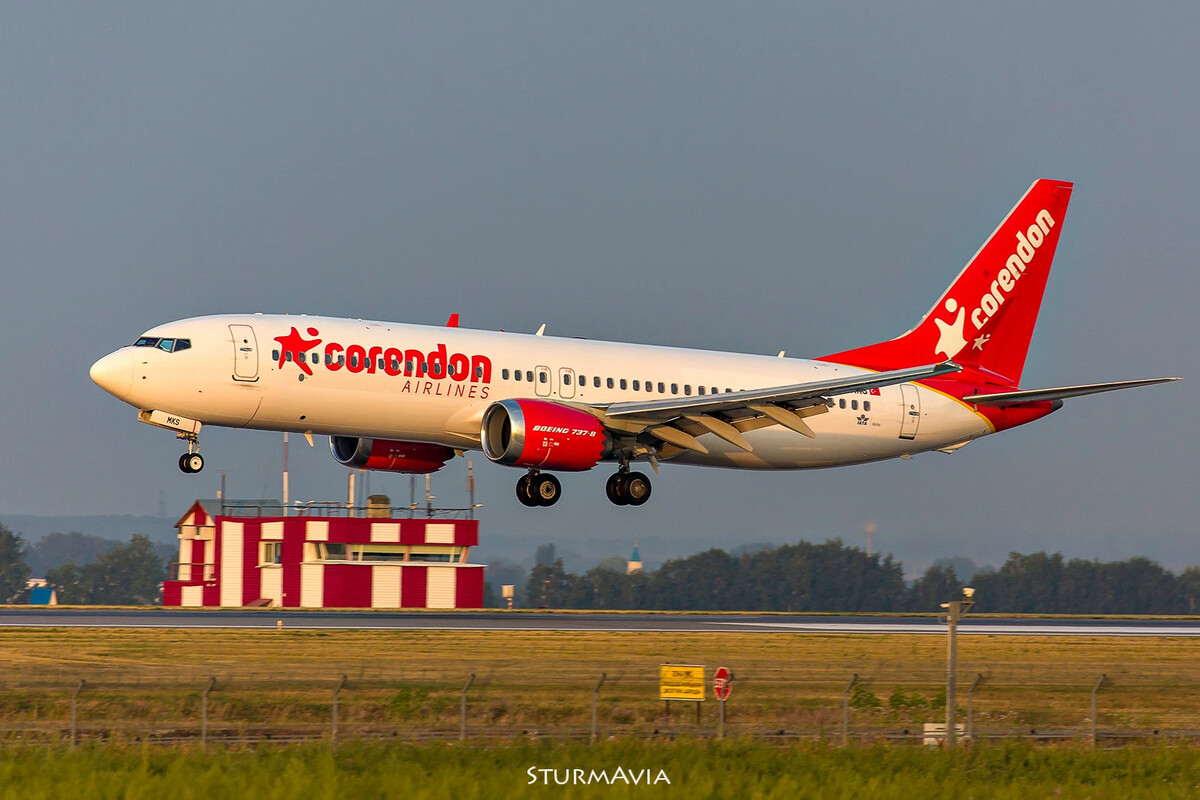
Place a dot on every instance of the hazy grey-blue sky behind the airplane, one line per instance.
(734, 177)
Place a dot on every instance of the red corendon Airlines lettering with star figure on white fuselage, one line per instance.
(436, 366)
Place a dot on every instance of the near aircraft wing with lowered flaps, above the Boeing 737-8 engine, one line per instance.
(680, 420)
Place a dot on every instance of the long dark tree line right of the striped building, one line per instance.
(833, 578)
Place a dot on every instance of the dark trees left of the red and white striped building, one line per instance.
(115, 574)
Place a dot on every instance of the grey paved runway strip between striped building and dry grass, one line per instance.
(667, 622)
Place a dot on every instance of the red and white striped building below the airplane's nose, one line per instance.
(325, 562)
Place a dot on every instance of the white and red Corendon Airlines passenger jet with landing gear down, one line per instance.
(407, 399)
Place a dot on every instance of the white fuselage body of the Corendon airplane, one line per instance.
(231, 376)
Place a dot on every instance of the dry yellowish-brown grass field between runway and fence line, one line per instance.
(149, 682)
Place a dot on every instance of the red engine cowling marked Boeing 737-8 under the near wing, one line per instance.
(543, 435)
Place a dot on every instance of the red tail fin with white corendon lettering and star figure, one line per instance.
(986, 320)
